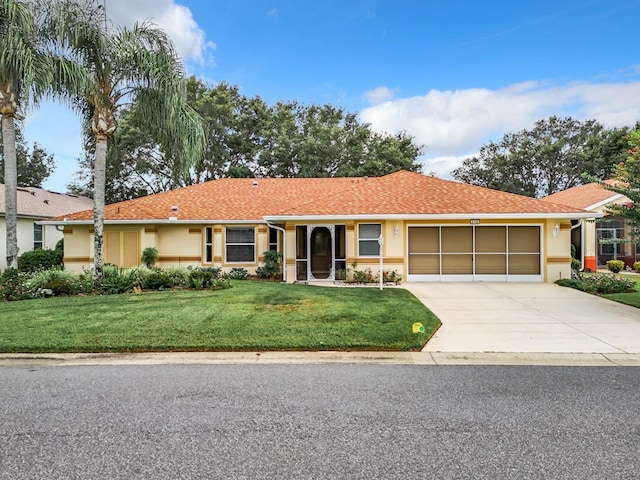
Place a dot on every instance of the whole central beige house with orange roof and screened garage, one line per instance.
(432, 229)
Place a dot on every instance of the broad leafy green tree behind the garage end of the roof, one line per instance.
(551, 157)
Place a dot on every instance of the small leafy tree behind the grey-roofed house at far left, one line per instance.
(34, 165)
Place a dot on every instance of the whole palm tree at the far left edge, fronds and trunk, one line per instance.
(25, 75)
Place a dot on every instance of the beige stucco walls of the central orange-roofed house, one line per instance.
(184, 244)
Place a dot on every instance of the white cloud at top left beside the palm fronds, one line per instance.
(176, 20)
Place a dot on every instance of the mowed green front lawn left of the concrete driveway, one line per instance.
(248, 316)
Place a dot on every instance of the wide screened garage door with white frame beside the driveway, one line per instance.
(475, 253)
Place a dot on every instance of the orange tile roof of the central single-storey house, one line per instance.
(402, 193)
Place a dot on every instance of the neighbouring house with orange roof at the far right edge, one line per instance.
(586, 236)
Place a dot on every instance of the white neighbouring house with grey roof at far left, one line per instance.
(34, 205)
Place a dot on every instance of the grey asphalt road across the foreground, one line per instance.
(319, 421)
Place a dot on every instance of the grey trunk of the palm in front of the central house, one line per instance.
(99, 182)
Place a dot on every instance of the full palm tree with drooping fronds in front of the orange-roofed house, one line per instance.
(123, 67)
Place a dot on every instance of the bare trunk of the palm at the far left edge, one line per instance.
(10, 189)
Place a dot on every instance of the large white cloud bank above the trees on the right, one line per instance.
(457, 123)
